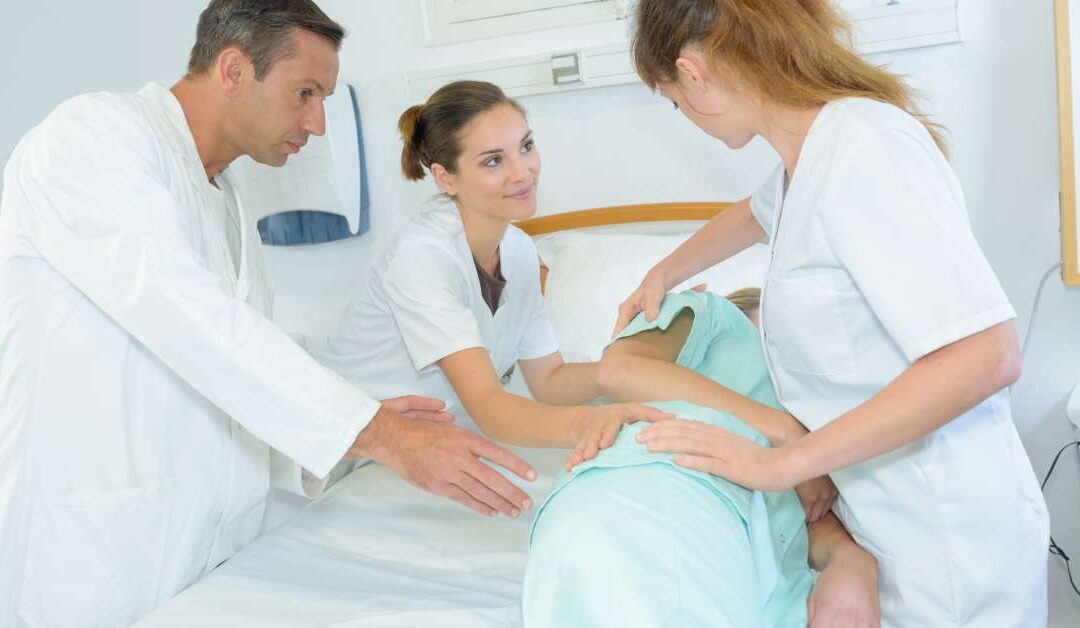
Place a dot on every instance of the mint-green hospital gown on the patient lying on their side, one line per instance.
(631, 540)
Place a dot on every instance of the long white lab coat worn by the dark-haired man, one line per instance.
(128, 341)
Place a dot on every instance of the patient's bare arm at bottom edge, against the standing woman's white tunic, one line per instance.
(846, 593)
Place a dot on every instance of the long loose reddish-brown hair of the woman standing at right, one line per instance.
(795, 52)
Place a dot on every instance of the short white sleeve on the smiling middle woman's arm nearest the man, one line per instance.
(428, 295)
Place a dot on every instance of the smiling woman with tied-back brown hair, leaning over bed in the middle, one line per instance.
(454, 305)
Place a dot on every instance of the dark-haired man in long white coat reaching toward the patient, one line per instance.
(142, 382)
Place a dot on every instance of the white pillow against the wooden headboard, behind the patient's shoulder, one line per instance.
(591, 274)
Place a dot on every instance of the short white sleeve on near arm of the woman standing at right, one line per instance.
(896, 219)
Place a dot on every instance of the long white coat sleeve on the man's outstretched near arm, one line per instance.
(99, 212)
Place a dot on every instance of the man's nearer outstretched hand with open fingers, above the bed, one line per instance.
(447, 461)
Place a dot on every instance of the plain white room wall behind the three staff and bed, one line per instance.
(622, 145)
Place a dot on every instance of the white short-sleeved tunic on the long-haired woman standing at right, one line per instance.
(873, 266)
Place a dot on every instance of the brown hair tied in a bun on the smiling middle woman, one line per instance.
(431, 132)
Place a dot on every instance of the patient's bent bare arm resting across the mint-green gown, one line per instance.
(642, 368)
